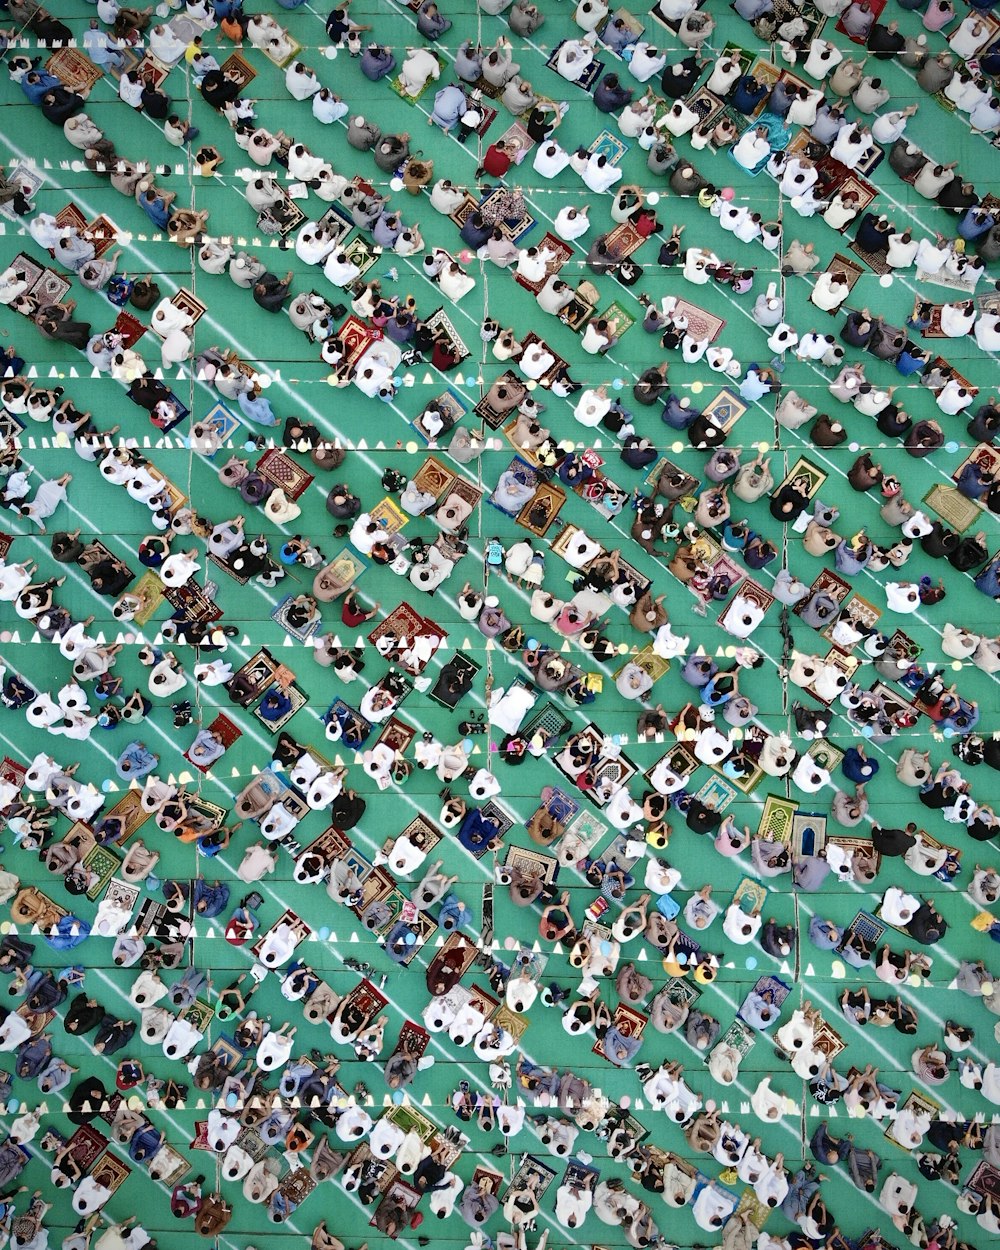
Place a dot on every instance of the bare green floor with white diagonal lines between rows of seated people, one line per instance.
(383, 436)
